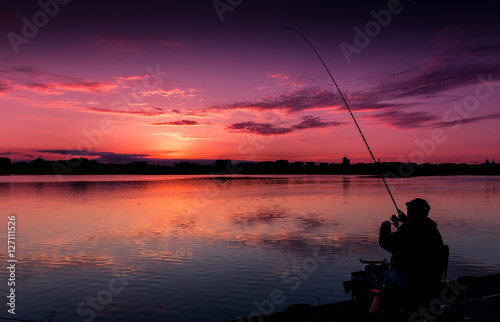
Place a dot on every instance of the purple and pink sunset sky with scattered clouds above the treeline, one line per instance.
(122, 81)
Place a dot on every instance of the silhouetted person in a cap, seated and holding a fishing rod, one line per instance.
(416, 248)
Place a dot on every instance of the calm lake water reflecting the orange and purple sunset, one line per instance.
(191, 248)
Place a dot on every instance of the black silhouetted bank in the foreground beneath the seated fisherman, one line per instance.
(466, 298)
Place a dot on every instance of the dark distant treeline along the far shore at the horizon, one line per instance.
(224, 167)
